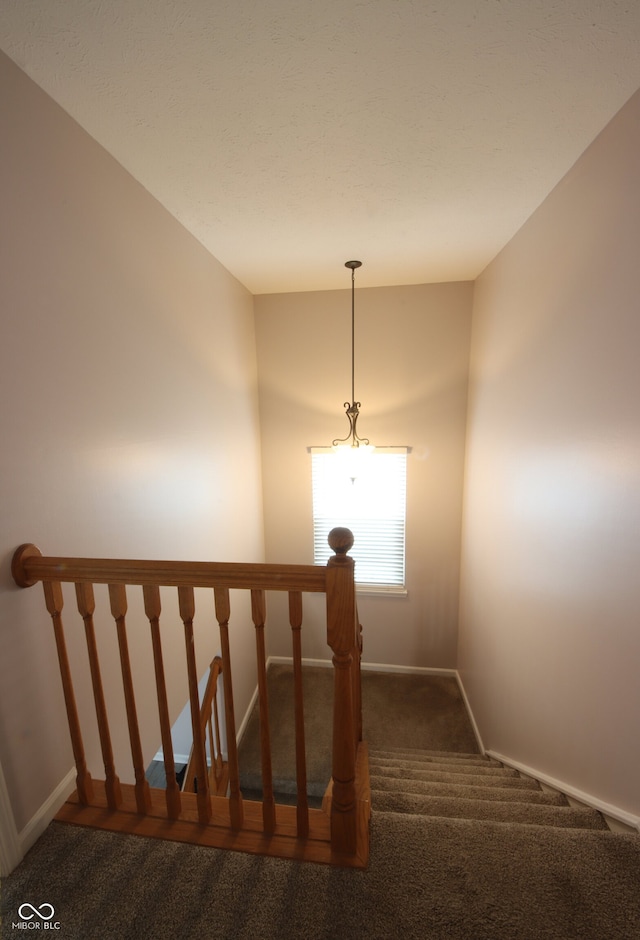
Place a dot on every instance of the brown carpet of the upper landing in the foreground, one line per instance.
(430, 878)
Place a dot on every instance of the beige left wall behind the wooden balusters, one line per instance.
(130, 420)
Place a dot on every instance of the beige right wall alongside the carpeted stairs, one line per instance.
(550, 638)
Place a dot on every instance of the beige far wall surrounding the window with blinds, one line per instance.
(412, 347)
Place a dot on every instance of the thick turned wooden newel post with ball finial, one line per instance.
(341, 637)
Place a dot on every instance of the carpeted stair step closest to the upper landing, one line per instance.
(564, 817)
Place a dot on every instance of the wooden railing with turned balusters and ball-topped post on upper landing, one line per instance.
(224, 820)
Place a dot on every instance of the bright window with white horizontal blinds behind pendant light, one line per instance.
(366, 492)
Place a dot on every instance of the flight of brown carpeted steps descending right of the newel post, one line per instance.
(467, 786)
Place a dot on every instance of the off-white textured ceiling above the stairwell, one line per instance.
(291, 135)
